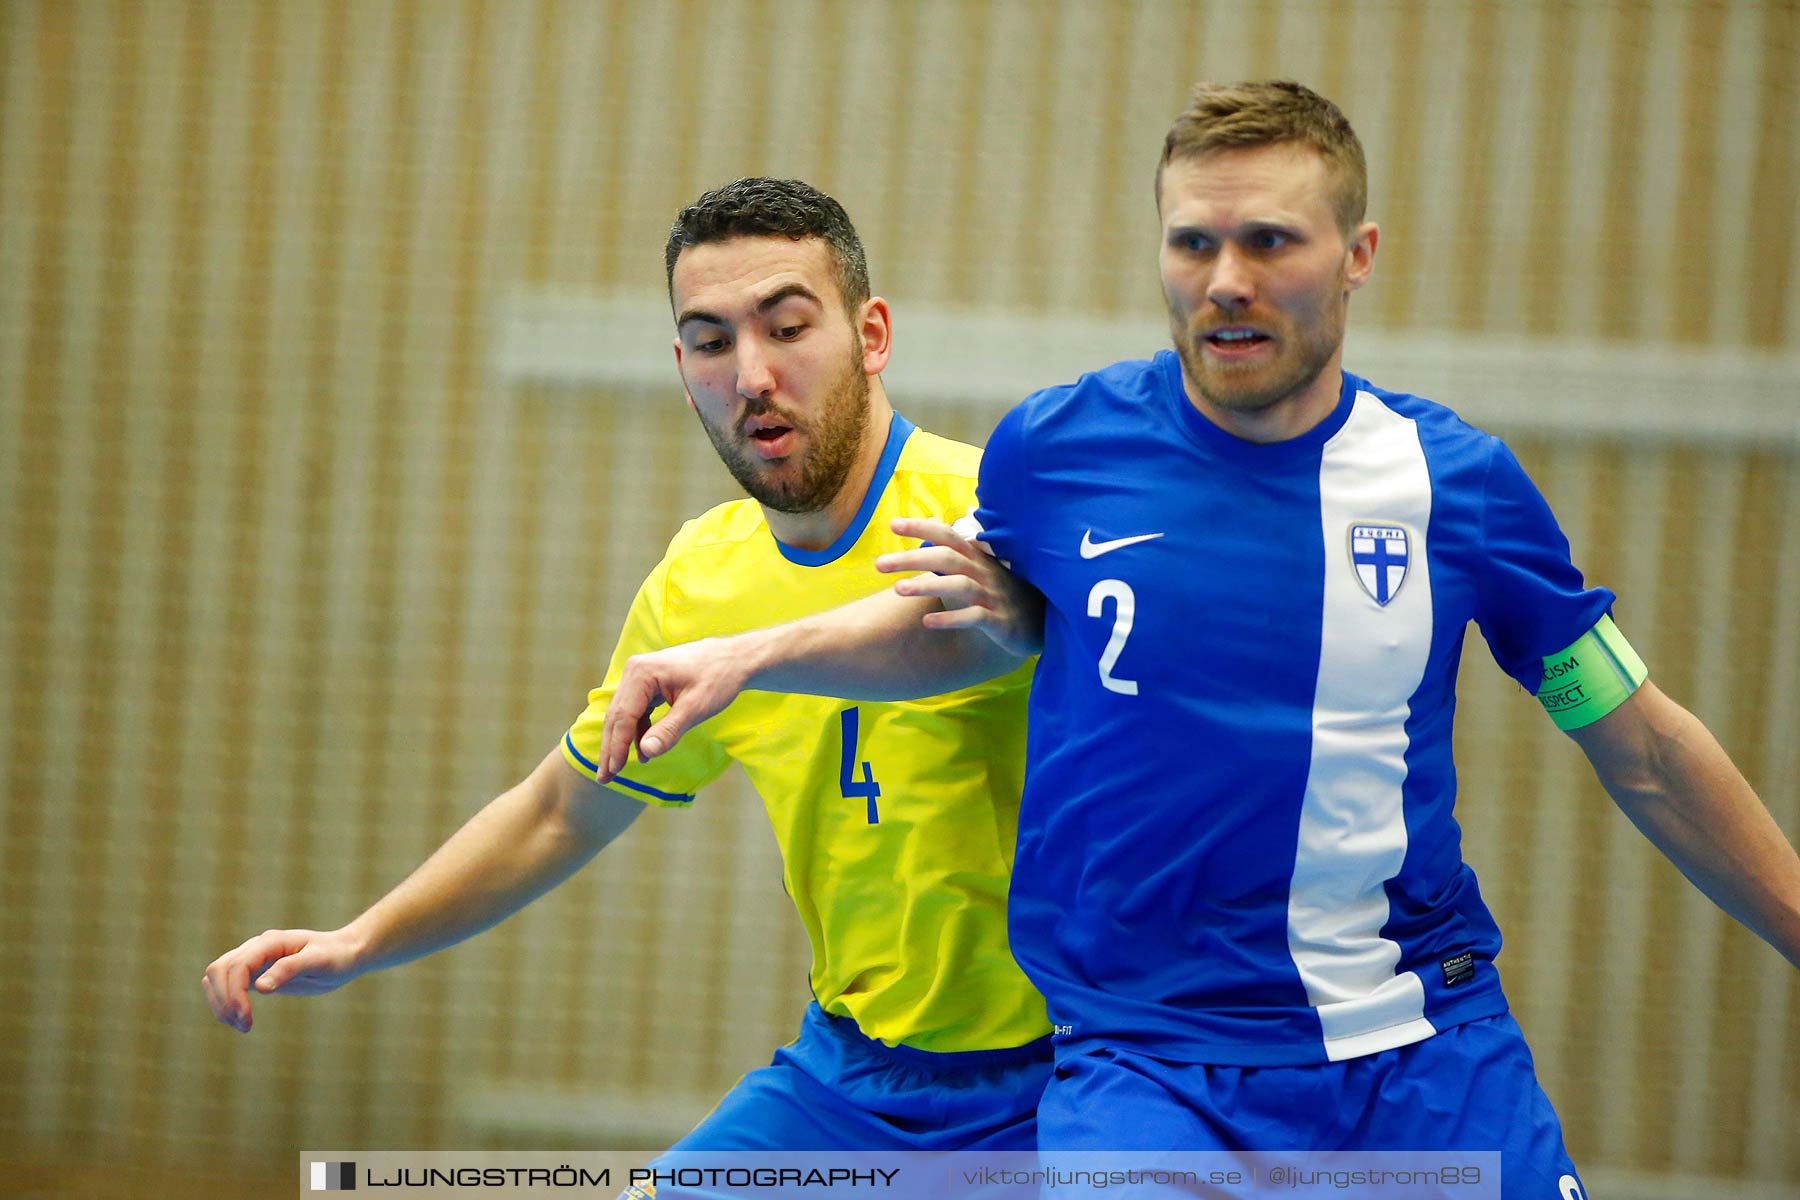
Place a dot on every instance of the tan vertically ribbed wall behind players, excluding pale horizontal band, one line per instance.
(292, 578)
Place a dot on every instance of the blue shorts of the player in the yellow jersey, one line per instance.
(838, 1089)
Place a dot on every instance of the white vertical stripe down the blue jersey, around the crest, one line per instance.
(1353, 821)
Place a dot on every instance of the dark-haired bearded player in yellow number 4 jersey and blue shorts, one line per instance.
(895, 821)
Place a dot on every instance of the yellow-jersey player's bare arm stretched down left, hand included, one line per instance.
(523, 845)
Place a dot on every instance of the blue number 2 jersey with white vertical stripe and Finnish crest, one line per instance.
(1236, 843)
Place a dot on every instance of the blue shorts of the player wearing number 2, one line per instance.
(1470, 1088)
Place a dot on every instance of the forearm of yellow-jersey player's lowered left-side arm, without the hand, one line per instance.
(523, 845)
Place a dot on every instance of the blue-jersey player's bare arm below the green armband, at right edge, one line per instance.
(1682, 791)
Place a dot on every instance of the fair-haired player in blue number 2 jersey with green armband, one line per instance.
(1239, 882)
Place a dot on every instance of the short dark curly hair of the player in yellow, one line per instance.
(759, 208)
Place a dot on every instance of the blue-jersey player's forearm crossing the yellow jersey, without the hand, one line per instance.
(876, 649)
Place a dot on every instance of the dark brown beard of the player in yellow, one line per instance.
(813, 476)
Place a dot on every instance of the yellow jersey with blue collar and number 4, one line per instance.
(895, 821)
